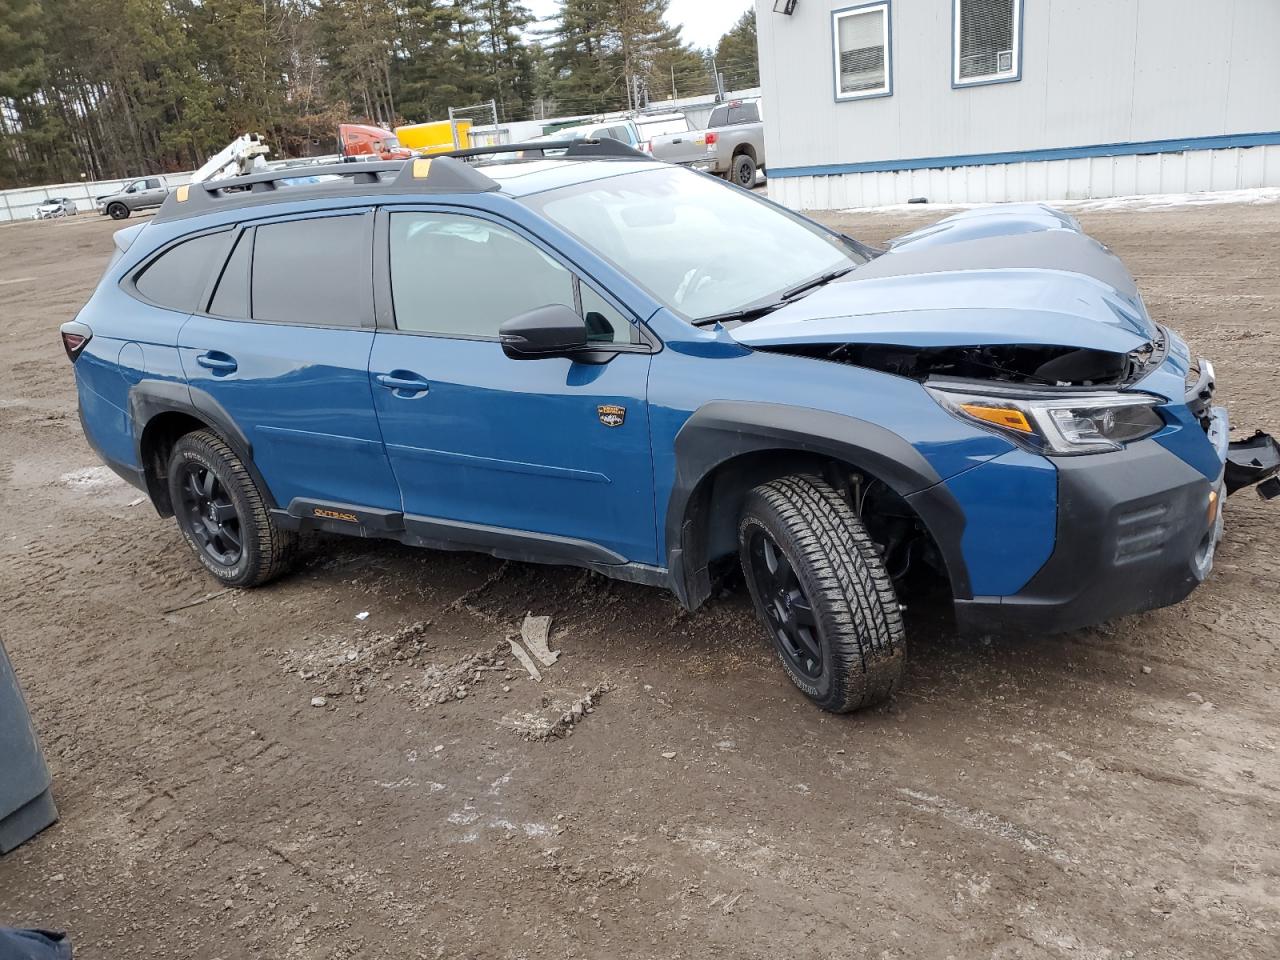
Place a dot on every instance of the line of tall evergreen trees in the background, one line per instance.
(97, 92)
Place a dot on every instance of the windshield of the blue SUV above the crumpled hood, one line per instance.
(698, 246)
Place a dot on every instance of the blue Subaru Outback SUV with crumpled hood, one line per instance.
(607, 362)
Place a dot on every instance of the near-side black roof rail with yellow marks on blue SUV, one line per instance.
(435, 175)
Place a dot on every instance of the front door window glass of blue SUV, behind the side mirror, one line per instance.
(464, 277)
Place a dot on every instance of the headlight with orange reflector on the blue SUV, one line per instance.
(1059, 427)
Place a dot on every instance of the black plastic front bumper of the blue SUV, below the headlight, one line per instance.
(1136, 531)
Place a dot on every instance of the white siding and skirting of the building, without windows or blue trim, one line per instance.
(1094, 72)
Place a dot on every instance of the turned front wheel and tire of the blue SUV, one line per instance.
(828, 604)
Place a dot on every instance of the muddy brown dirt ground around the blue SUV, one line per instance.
(1108, 794)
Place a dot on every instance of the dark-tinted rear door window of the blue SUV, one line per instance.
(314, 272)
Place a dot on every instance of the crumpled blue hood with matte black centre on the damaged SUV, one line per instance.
(1040, 282)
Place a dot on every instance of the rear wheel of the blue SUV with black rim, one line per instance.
(223, 515)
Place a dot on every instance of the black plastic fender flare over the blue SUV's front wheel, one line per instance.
(721, 431)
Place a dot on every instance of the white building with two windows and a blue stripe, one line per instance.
(875, 103)
